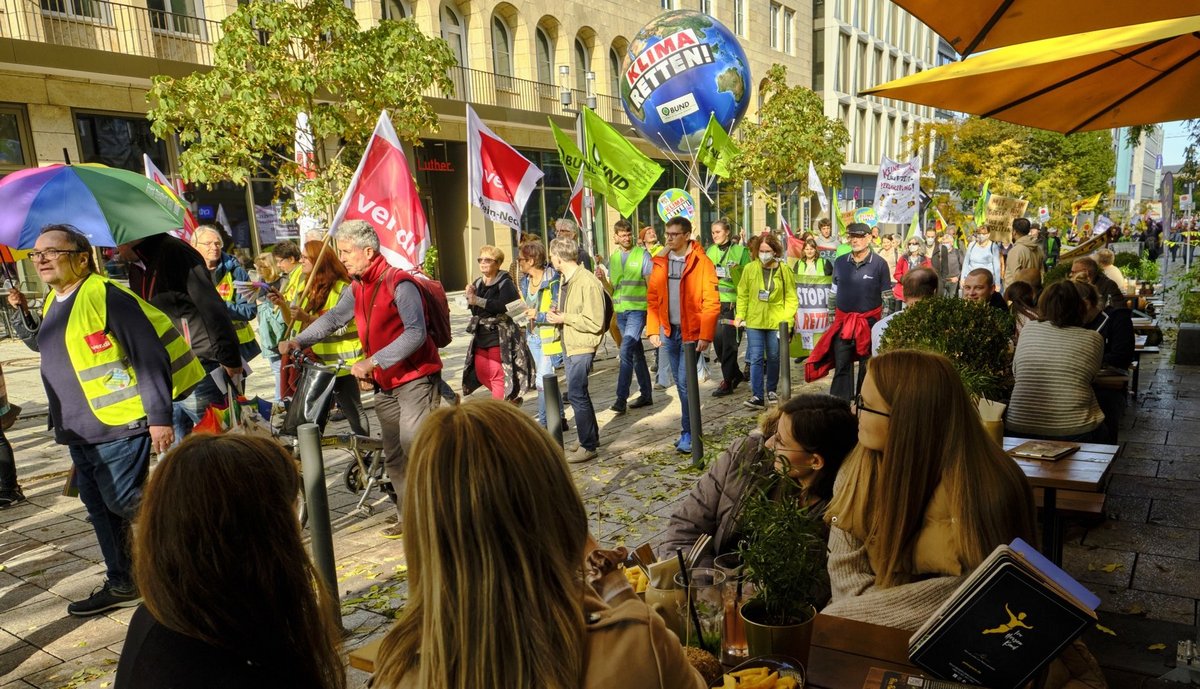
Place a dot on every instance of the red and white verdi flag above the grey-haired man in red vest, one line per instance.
(385, 195)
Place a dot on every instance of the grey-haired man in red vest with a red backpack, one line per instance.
(401, 361)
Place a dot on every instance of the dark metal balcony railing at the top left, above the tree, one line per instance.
(111, 27)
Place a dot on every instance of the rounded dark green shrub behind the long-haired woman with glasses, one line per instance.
(976, 338)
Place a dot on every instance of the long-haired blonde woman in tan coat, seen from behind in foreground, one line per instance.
(497, 538)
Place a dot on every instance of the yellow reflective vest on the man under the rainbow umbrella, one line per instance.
(109, 380)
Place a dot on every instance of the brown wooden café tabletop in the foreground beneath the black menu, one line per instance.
(844, 651)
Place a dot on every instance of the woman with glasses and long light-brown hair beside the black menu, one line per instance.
(923, 499)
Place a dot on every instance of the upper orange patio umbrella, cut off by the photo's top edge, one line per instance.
(976, 26)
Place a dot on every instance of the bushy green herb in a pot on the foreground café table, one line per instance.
(784, 559)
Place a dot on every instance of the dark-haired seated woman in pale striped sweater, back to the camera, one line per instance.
(1057, 362)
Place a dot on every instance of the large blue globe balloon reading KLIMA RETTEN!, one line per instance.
(680, 69)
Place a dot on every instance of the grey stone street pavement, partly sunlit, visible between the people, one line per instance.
(1143, 560)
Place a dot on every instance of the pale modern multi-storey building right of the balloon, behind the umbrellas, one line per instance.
(859, 45)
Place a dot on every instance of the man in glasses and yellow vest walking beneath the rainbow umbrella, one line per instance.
(107, 363)
